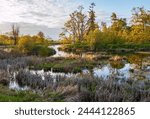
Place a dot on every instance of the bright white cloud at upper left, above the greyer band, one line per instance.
(50, 13)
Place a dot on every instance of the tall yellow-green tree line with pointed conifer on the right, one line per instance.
(83, 30)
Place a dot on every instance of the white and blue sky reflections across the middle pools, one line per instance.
(103, 72)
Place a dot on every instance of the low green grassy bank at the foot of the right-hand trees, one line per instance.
(108, 47)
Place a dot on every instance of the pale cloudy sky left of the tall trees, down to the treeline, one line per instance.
(41, 15)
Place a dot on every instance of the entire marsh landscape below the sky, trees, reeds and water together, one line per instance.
(88, 63)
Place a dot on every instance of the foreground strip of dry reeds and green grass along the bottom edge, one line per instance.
(85, 88)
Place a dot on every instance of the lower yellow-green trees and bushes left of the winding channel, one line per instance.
(26, 44)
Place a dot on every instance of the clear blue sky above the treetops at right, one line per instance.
(121, 7)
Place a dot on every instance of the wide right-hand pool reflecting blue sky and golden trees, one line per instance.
(134, 67)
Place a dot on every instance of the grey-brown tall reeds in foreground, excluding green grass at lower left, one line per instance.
(88, 88)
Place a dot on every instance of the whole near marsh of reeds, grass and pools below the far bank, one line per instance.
(118, 78)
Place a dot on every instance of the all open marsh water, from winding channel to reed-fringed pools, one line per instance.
(132, 66)
